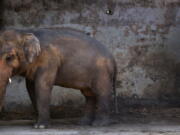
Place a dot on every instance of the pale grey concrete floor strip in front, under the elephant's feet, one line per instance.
(24, 128)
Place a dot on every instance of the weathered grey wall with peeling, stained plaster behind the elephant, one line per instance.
(143, 35)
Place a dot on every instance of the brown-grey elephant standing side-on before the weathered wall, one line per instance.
(64, 57)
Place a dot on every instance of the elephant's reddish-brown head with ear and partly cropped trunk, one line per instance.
(16, 49)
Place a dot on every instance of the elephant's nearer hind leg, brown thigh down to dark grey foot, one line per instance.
(103, 89)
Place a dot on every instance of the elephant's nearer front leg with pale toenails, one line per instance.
(43, 86)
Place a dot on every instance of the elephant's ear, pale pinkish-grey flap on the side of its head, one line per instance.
(31, 46)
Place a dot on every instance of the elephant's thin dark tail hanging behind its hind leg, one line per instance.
(114, 88)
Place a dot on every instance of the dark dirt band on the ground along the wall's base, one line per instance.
(125, 115)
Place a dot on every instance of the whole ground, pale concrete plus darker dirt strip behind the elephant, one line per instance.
(142, 121)
